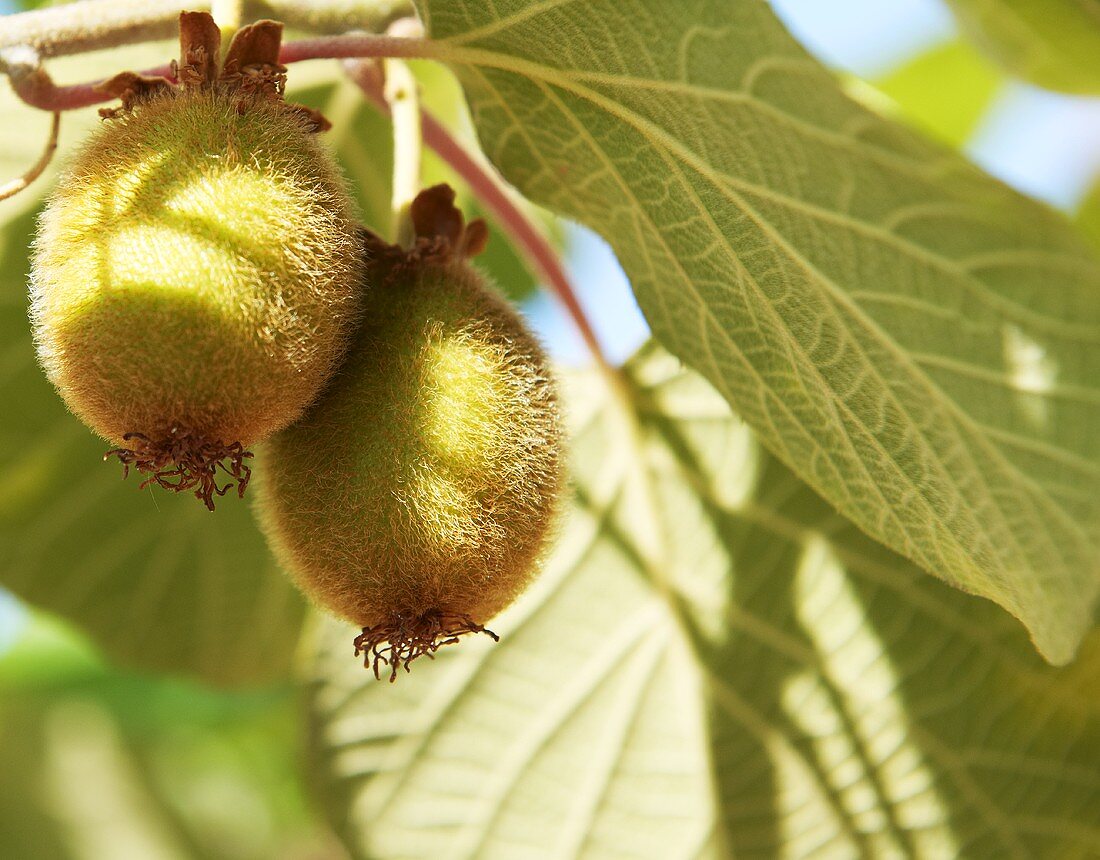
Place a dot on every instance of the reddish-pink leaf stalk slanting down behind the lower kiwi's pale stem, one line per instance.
(492, 193)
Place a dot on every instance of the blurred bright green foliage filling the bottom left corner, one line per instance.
(100, 764)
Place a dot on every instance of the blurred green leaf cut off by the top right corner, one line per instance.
(1053, 43)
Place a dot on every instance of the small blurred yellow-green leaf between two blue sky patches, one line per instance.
(945, 91)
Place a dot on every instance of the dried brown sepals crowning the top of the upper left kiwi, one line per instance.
(251, 69)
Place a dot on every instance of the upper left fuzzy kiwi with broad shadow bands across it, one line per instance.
(199, 271)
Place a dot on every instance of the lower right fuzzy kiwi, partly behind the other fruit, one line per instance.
(415, 498)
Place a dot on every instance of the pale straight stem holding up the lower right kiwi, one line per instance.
(403, 102)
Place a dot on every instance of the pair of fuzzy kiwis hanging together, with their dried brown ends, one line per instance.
(201, 285)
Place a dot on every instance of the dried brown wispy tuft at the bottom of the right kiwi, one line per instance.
(399, 642)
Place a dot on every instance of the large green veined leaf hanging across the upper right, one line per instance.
(918, 341)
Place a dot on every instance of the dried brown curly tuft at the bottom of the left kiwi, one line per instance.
(182, 462)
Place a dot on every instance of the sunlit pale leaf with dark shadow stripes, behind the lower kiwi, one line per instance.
(714, 665)
